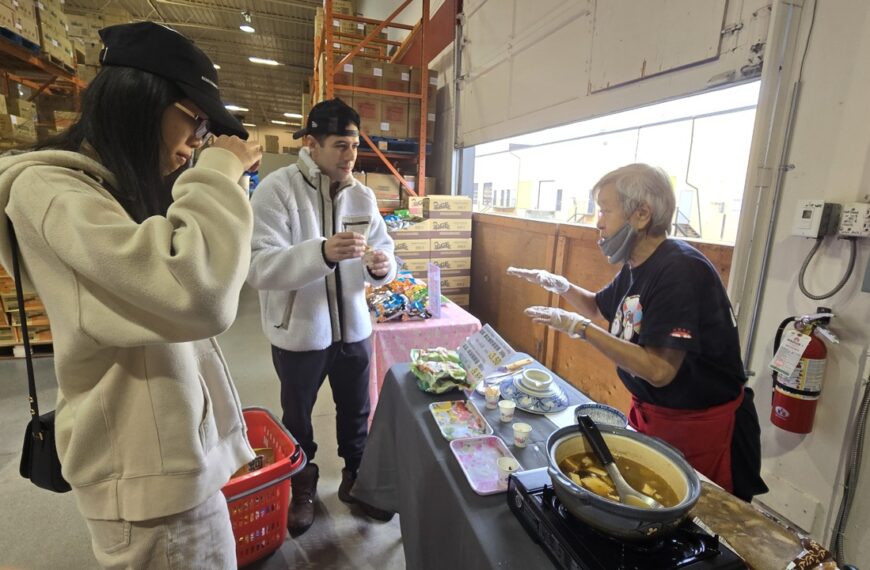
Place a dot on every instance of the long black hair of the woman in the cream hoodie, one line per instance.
(122, 114)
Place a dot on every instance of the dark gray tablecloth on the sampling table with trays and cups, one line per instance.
(408, 468)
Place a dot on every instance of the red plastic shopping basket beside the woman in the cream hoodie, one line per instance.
(258, 501)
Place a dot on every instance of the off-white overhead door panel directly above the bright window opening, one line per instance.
(533, 65)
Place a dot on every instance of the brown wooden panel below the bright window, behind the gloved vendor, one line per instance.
(567, 249)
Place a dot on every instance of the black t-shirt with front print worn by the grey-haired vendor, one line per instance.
(676, 299)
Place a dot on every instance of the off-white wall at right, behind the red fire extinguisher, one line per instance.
(830, 151)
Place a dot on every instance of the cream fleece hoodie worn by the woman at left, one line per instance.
(148, 421)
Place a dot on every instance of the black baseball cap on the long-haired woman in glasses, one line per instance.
(166, 53)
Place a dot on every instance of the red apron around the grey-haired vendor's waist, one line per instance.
(703, 436)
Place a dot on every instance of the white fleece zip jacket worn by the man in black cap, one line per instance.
(304, 303)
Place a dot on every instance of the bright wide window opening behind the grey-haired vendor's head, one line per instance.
(701, 141)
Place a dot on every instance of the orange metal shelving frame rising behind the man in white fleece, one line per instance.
(325, 40)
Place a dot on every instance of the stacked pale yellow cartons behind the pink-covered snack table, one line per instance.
(443, 238)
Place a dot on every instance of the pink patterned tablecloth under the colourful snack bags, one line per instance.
(392, 341)
